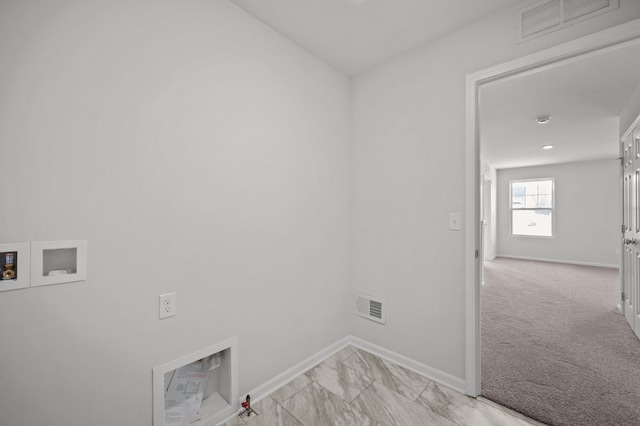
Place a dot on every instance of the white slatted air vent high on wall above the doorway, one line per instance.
(551, 15)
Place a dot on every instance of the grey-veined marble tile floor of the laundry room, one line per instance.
(354, 387)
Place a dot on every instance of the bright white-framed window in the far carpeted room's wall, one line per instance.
(532, 207)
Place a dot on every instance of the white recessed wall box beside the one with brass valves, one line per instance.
(57, 262)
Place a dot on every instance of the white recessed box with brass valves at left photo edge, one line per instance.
(15, 268)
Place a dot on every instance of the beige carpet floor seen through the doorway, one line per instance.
(554, 346)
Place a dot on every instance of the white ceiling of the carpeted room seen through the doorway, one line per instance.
(584, 98)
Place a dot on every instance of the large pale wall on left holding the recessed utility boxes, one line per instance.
(198, 152)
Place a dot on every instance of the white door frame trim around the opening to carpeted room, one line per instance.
(612, 38)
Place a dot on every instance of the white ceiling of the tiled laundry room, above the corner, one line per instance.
(355, 35)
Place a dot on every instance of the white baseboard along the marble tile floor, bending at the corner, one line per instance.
(286, 376)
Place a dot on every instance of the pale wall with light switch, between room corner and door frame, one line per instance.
(408, 157)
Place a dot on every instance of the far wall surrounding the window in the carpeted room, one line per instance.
(586, 214)
